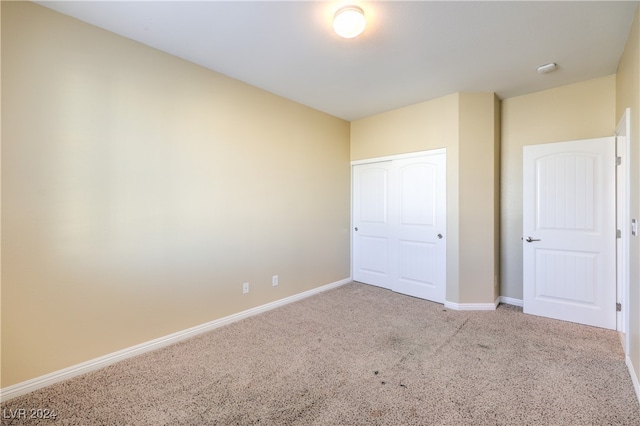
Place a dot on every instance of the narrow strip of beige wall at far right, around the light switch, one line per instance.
(628, 96)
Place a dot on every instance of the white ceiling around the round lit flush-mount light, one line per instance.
(410, 51)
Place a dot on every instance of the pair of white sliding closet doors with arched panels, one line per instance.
(399, 219)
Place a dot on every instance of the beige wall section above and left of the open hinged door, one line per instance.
(578, 111)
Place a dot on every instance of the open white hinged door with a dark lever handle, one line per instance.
(569, 235)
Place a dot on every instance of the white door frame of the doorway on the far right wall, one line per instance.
(622, 133)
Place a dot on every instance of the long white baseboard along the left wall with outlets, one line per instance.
(103, 361)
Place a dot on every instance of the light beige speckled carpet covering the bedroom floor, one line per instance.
(361, 355)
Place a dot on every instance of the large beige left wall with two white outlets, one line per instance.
(140, 191)
